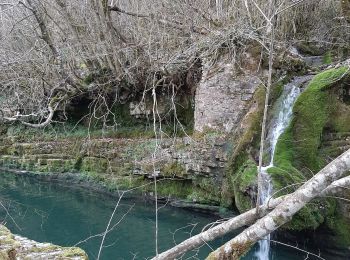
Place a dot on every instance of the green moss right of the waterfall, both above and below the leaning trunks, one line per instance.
(297, 156)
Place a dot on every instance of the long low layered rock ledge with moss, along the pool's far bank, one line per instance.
(191, 169)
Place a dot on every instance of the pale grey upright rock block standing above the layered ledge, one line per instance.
(223, 98)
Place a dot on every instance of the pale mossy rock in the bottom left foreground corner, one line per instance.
(15, 247)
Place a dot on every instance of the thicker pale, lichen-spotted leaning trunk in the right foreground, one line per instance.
(284, 212)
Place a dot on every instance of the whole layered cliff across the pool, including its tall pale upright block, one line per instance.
(191, 168)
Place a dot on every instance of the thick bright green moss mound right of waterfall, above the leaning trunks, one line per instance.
(300, 142)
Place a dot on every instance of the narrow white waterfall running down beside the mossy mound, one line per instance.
(279, 123)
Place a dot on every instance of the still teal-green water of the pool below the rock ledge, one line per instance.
(49, 212)
